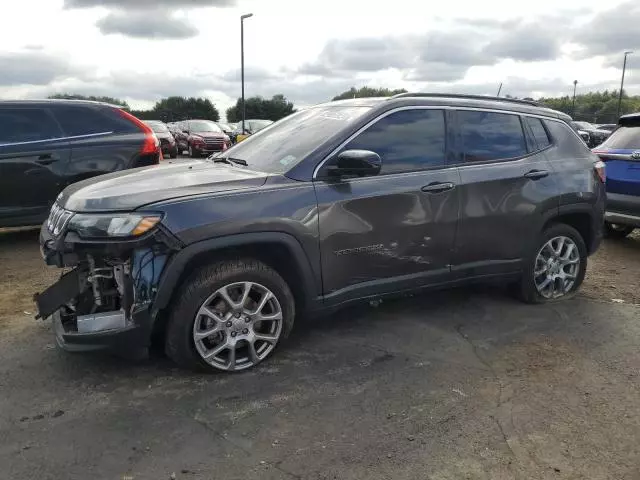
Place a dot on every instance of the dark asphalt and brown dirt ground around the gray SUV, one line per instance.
(466, 384)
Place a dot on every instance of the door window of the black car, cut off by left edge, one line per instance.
(20, 125)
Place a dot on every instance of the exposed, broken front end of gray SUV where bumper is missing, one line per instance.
(80, 324)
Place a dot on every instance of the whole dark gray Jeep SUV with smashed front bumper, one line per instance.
(343, 202)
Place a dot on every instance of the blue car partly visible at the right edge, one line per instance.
(621, 154)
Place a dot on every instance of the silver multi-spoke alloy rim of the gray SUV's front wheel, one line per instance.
(238, 326)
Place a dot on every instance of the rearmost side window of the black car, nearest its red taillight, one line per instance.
(82, 120)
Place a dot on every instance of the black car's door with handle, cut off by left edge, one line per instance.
(33, 158)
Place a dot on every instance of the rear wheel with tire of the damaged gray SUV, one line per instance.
(556, 267)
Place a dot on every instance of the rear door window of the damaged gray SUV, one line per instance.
(489, 136)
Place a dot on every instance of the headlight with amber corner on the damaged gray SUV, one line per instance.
(112, 225)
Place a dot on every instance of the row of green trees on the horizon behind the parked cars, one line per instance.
(596, 107)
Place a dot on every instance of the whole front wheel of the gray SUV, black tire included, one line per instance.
(229, 316)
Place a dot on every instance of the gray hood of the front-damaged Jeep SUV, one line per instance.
(131, 189)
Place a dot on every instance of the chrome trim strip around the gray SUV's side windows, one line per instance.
(445, 108)
